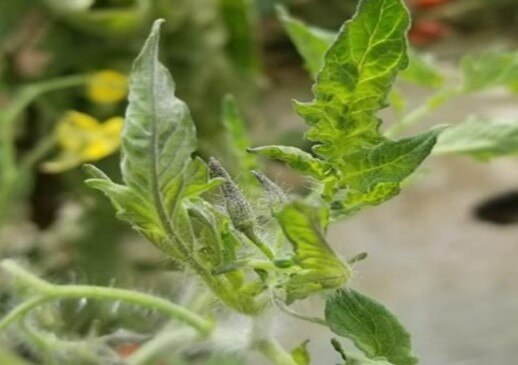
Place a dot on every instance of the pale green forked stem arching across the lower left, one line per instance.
(47, 292)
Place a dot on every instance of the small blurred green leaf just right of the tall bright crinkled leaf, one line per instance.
(422, 71)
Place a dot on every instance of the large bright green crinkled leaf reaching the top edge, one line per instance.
(357, 74)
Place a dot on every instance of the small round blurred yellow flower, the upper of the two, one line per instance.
(106, 87)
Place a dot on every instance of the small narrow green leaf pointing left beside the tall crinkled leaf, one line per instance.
(295, 158)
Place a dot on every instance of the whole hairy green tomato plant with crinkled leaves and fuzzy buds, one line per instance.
(249, 259)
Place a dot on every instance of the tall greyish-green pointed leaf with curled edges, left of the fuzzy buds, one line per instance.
(158, 140)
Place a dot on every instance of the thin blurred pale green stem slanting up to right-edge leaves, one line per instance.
(416, 115)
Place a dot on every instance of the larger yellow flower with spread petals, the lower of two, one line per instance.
(82, 139)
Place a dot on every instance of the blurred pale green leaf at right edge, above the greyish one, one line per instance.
(490, 69)
